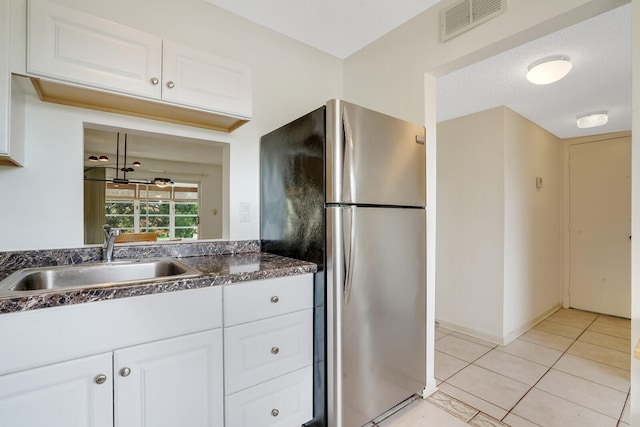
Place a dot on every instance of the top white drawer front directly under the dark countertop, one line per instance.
(249, 301)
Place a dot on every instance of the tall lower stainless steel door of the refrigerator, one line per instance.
(376, 305)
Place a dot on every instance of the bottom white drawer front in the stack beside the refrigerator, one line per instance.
(283, 402)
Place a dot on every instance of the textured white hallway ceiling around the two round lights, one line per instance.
(600, 50)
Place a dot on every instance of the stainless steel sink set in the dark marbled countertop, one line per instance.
(94, 275)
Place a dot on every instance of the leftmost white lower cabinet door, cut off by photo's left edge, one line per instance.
(78, 393)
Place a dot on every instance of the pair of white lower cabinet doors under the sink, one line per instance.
(168, 383)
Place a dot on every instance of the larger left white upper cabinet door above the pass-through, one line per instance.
(68, 45)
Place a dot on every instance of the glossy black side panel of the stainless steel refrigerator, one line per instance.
(292, 219)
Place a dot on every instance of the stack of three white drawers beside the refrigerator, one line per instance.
(268, 351)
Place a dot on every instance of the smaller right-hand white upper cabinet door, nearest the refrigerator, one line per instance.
(199, 79)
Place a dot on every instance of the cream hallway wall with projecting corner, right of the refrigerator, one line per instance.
(499, 247)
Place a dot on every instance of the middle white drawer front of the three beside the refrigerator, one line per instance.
(259, 351)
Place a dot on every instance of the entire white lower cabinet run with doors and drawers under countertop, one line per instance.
(141, 362)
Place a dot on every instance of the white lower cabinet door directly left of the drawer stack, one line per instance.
(169, 383)
